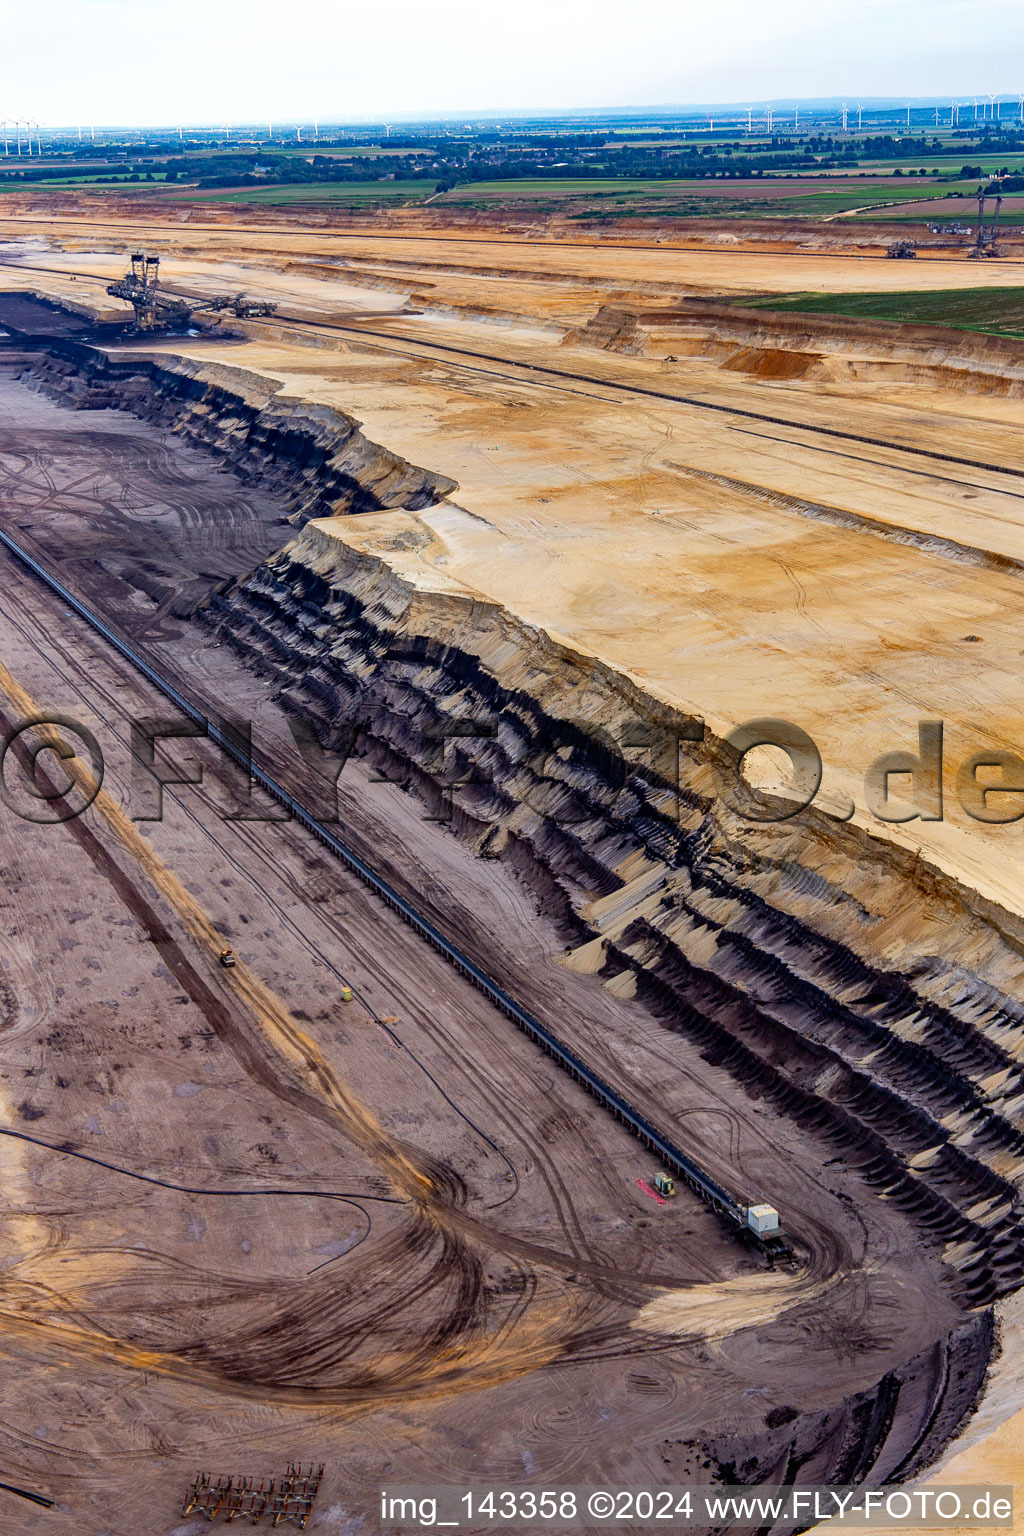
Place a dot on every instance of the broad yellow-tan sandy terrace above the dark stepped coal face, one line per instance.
(652, 534)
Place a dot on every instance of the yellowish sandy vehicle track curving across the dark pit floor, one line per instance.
(474, 1354)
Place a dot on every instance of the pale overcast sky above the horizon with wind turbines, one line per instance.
(337, 61)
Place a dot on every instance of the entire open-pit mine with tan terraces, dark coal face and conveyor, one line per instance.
(521, 981)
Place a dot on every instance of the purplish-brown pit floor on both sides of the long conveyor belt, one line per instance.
(202, 1319)
